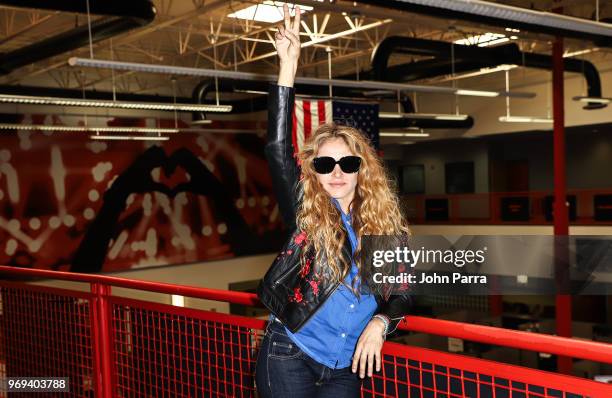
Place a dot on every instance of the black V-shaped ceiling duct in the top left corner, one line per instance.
(121, 17)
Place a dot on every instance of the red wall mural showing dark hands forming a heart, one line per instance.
(74, 204)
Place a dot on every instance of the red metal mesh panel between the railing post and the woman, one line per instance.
(179, 353)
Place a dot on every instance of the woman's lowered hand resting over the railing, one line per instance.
(368, 348)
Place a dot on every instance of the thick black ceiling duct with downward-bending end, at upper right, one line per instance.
(468, 58)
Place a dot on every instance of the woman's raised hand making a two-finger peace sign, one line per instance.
(287, 41)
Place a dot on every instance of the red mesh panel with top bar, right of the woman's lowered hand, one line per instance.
(442, 375)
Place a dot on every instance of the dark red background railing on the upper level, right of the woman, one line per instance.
(507, 207)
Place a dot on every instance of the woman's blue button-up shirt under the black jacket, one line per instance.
(330, 335)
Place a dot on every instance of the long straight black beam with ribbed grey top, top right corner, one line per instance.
(491, 13)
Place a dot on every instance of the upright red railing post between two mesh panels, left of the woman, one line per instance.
(103, 342)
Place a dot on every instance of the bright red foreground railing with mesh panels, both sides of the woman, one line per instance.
(117, 346)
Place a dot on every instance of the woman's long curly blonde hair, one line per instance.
(375, 206)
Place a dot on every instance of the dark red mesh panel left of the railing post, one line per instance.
(44, 333)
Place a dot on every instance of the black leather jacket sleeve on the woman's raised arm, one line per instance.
(279, 151)
